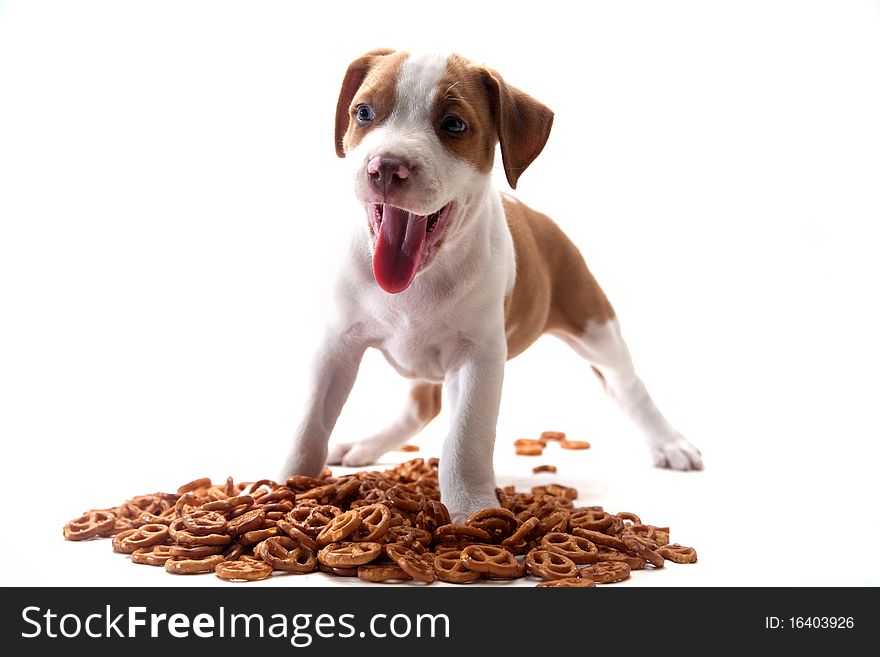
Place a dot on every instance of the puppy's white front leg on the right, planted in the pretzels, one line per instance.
(467, 475)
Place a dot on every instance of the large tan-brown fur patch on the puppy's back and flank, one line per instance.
(554, 289)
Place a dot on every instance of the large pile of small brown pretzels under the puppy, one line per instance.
(381, 527)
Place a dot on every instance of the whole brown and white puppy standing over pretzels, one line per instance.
(493, 276)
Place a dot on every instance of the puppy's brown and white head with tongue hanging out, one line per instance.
(421, 134)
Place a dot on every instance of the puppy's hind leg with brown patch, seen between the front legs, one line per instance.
(422, 406)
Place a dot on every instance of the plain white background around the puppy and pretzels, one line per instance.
(171, 207)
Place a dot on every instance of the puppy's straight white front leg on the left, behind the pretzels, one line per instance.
(333, 375)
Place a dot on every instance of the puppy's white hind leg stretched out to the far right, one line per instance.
(602, 345)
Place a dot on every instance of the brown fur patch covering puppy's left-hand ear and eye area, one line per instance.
(371, 80)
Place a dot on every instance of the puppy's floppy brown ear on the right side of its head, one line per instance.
(523, 125)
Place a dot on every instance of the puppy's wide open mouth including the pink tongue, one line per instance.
(403, 240)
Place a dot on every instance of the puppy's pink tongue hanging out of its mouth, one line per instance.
(399, 248)
